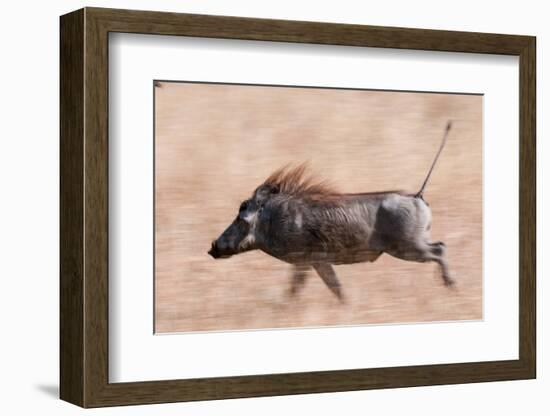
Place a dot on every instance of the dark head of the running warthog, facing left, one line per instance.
(241, 234)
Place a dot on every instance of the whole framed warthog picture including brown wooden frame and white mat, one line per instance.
(255, 207)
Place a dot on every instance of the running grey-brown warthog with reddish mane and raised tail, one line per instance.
(306, 223)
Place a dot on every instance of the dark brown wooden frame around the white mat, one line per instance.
(84, 207)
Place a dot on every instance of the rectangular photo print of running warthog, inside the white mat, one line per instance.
(292, 207)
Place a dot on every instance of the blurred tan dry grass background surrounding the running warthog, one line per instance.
(215, 143)
